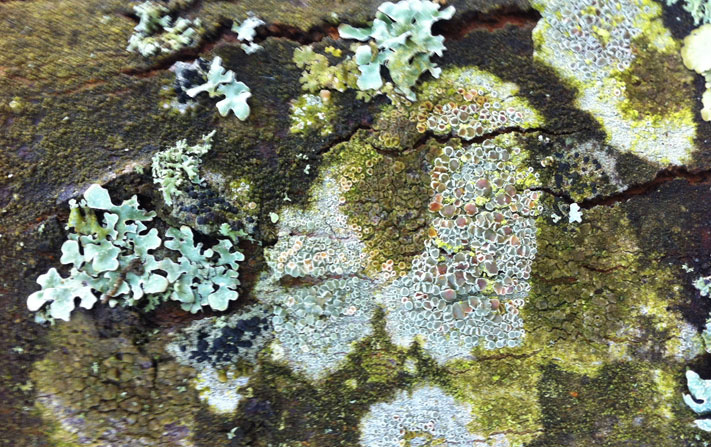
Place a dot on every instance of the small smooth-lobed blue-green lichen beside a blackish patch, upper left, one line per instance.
(221, 82)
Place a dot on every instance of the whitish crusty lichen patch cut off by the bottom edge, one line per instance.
(426, 416)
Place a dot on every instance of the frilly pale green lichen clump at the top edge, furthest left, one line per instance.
(158, 33)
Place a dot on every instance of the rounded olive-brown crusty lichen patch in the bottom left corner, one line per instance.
(99, 389)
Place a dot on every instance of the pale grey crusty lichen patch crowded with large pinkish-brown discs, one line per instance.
(467, 286)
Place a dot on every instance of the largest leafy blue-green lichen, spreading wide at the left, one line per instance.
(116, 259)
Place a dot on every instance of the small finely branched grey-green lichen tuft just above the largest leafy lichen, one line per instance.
(174, 168)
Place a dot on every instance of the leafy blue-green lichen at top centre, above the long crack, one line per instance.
(402, 42)
